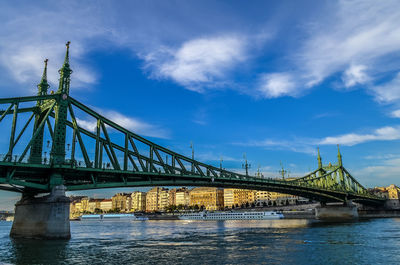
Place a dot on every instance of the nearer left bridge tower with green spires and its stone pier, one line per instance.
(48, 216)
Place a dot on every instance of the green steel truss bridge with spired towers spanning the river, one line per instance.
(109, 156)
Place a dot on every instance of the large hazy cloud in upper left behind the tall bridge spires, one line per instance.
(29, 35)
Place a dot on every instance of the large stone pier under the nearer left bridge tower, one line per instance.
(44, 217)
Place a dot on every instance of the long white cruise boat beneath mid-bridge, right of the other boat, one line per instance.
(231, 216)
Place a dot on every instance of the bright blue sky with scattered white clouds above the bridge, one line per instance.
(270, 79)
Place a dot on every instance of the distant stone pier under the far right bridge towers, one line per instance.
(346, 211)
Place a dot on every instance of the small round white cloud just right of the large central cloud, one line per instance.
(276, 85)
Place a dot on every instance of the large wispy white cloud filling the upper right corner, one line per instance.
(360, 31)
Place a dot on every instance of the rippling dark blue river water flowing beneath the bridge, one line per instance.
(375, 241)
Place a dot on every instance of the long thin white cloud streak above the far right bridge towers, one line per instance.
(382, 134)
